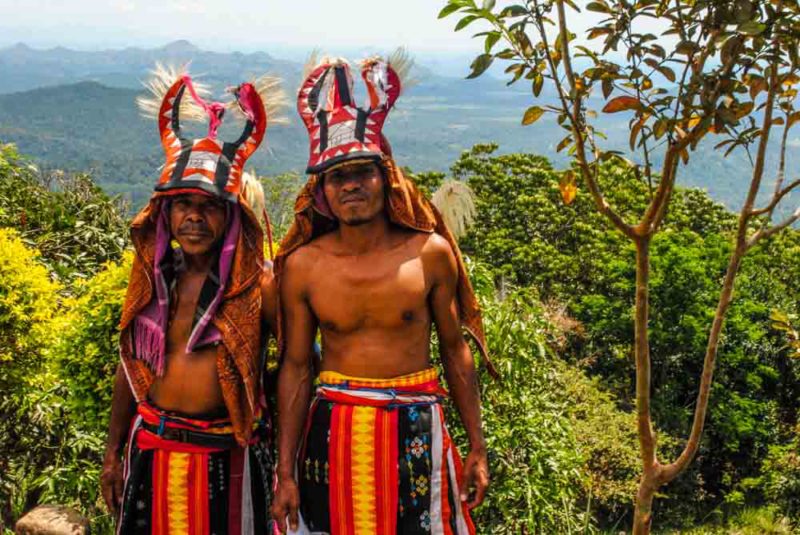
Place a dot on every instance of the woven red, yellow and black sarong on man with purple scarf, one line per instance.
(189, 476)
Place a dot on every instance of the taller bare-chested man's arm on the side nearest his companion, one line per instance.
(294, 386)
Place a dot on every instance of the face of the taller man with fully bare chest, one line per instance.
(354, 192)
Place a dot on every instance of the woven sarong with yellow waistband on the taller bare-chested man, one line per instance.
(377, 459)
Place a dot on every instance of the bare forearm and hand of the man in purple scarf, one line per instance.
(123, 408)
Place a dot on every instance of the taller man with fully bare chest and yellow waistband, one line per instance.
(370, 264)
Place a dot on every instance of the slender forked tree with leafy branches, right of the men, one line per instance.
(725, 68)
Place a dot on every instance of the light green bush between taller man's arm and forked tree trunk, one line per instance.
(558, 446)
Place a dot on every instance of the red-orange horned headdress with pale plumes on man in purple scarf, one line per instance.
(207, 164)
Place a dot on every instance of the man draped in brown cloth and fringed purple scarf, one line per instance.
(188, 409)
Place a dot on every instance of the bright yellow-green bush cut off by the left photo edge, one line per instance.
(28, 299)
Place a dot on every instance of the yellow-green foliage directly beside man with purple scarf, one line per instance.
(86, 354)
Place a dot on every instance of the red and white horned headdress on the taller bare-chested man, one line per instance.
(339, 129)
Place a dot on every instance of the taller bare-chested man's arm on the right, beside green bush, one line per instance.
(459, 366)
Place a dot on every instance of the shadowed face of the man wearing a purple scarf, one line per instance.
(197, 222)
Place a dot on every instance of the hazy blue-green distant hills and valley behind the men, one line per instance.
(75, 110)
